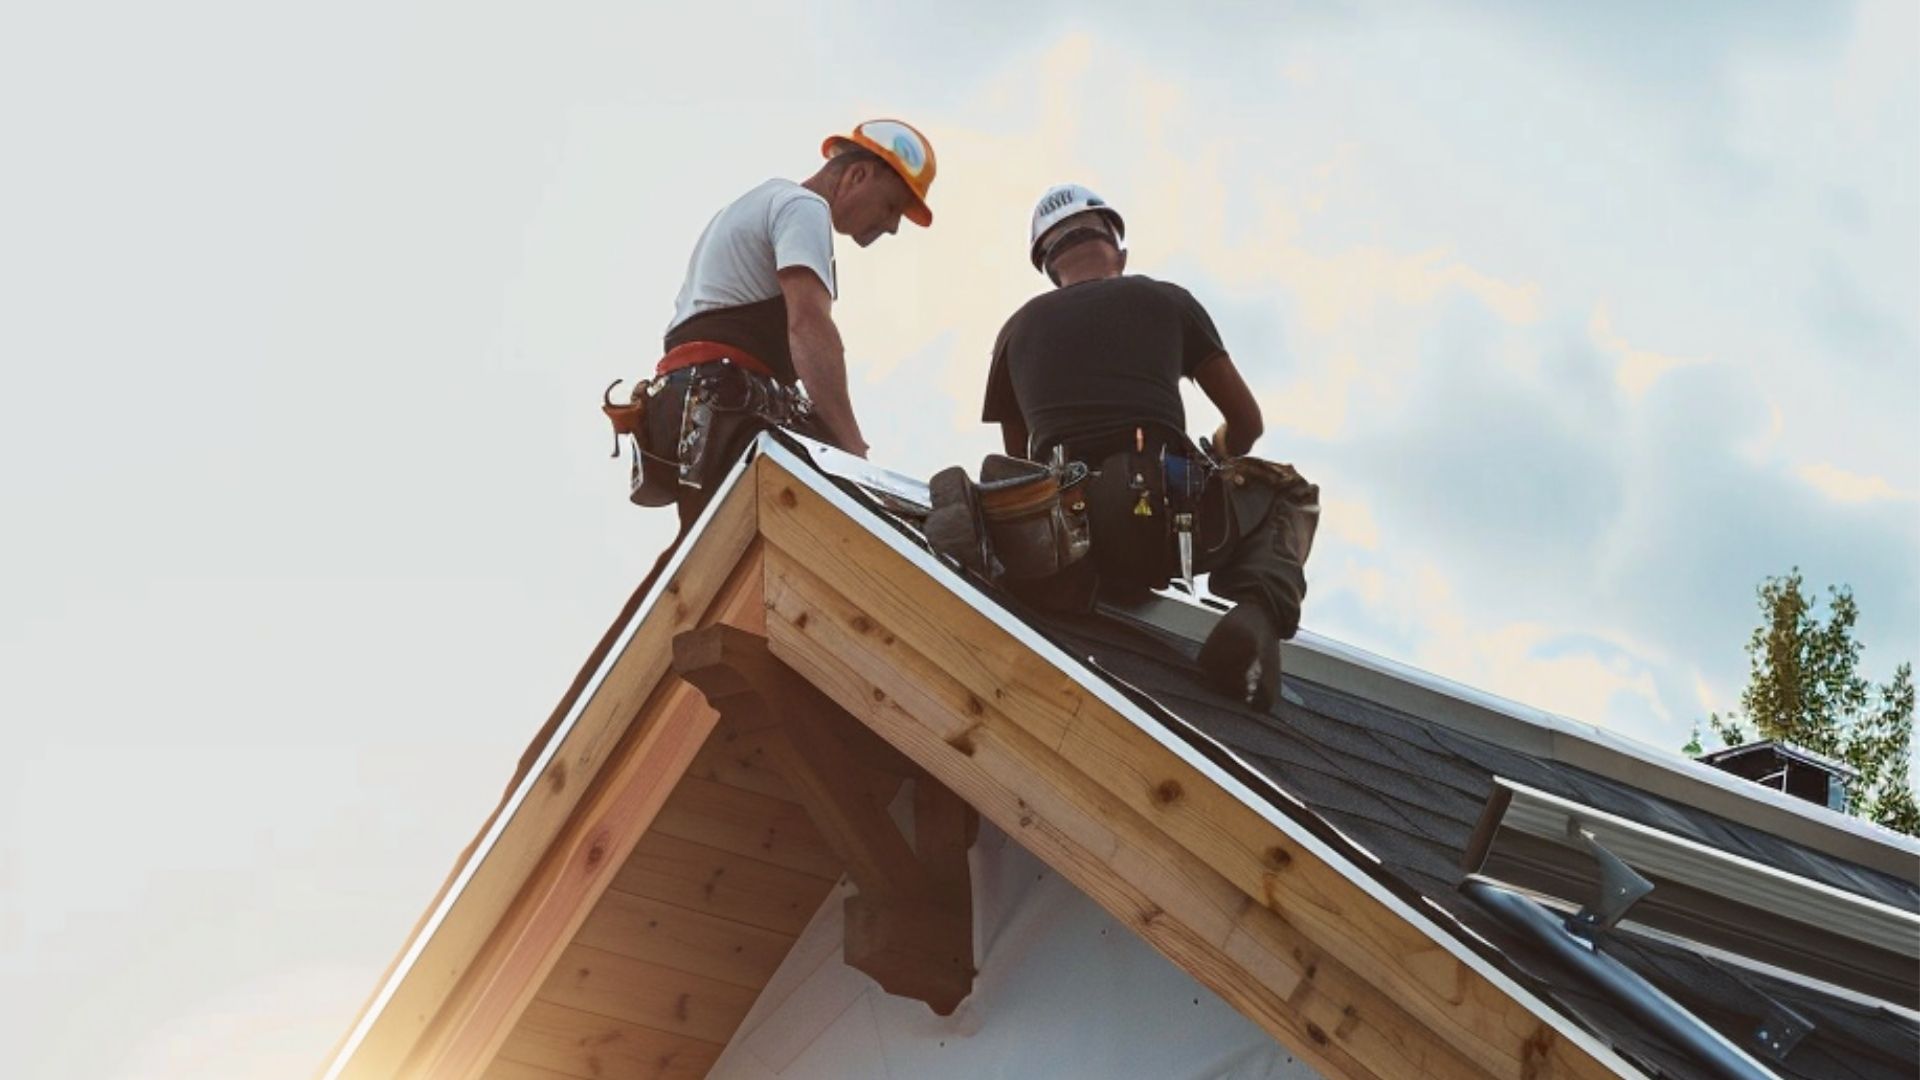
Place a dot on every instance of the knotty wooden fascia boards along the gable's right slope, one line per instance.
(905, 622)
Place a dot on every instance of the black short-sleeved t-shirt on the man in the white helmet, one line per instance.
(1099, 358)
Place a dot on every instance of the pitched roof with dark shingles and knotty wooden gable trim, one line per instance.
(1301, 864)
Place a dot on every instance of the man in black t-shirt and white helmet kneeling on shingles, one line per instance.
(1092, 374)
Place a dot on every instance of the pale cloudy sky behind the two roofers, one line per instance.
(1587, 318)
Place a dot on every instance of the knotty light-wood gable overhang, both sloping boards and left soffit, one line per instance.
(636, 898)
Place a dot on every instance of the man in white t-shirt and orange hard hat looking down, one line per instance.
(756, 316)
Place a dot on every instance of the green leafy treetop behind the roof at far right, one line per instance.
(1806, 689)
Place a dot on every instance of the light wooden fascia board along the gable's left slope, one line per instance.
(420, 994)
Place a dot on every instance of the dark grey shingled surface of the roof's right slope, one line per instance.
(1408, 793)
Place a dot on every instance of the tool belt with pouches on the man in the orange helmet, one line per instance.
(686, 426)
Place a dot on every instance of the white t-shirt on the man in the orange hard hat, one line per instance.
(769, 230)
